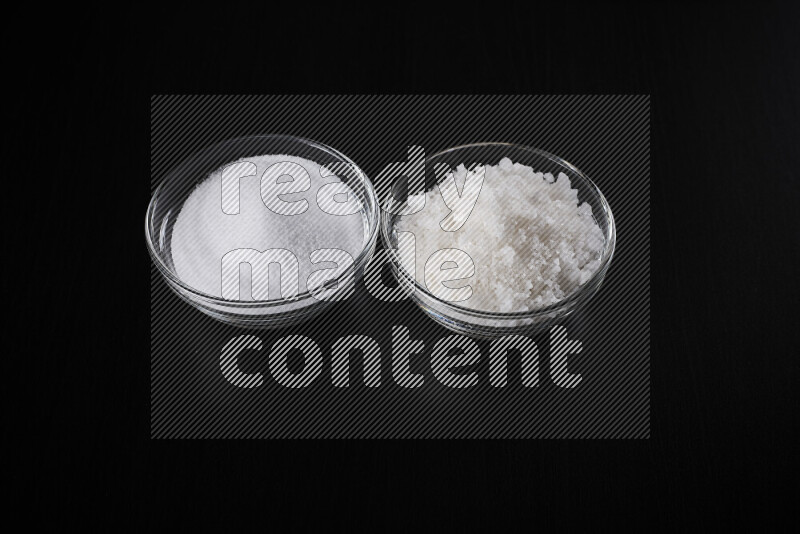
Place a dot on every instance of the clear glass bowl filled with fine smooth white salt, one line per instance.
(263, 231)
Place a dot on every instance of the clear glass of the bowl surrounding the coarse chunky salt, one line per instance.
(489, 324)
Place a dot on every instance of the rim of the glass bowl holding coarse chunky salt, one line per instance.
(566, 303)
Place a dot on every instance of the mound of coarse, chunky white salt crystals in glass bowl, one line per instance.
(532, 244)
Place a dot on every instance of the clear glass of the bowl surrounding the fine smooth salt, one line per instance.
(168, 199)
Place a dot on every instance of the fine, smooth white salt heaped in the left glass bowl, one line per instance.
(203, 233)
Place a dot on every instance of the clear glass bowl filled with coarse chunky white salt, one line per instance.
(504, 239)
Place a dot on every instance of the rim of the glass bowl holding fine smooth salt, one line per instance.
(342, 280)
